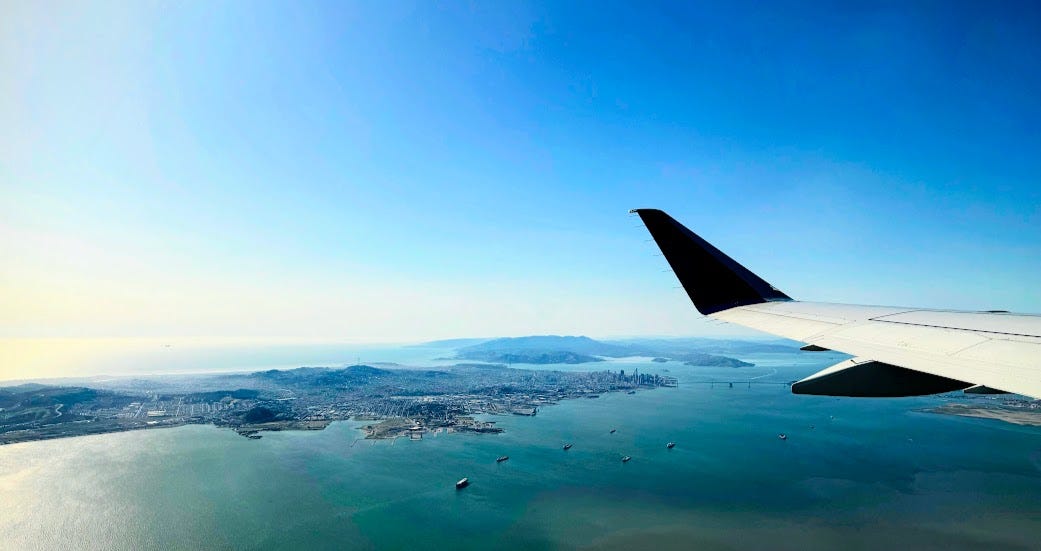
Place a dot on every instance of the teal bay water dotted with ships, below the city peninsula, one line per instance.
(870, 474)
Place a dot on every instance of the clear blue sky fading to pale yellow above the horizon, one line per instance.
(393, 171)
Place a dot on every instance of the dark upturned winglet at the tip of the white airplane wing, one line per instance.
(713, 281)
